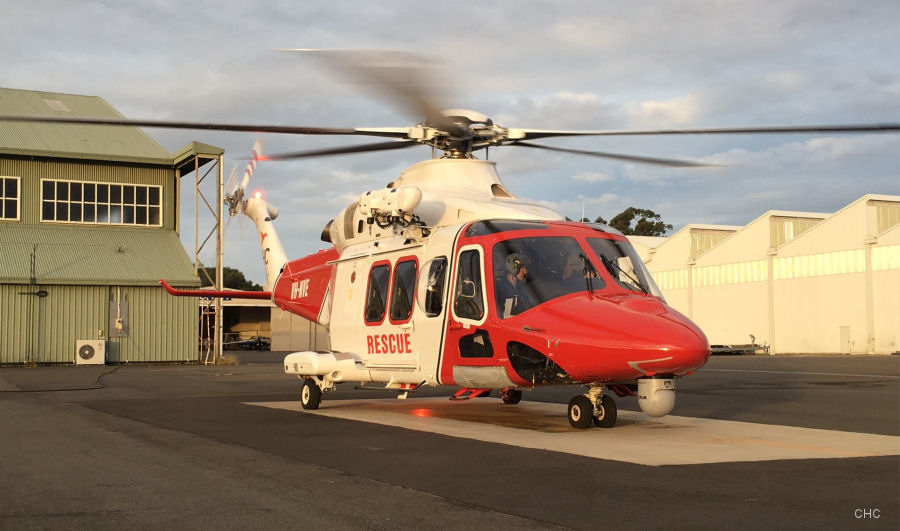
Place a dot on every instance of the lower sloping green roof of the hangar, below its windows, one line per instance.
(100, 256)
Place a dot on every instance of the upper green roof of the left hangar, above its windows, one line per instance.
(94, 142)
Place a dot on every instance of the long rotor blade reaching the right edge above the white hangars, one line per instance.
(531, 134)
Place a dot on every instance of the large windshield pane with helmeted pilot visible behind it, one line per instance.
(531, 271)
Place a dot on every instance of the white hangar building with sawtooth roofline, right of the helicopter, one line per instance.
(794, 282)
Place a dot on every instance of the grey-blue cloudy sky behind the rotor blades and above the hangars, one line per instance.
(530, 64)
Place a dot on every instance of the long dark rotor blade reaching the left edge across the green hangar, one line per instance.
(297, 130)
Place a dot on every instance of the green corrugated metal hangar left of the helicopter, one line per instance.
(88, 226)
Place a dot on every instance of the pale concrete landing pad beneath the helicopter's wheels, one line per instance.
(637, 438)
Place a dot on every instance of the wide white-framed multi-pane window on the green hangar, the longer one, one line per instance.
(102, 203)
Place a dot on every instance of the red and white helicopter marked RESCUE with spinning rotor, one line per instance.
(446, 277)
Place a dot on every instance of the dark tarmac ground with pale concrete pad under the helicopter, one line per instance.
(800, 442)
